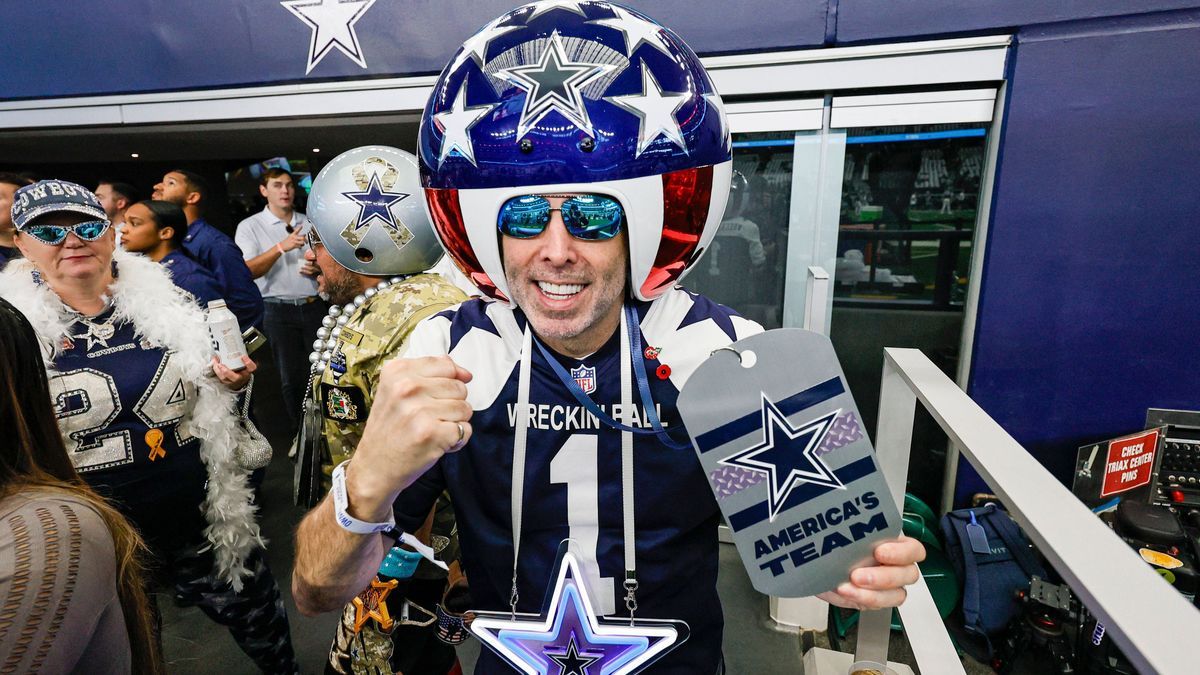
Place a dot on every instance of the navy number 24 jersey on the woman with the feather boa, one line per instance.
(123, 405)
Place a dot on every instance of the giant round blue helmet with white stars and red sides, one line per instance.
(577, 97)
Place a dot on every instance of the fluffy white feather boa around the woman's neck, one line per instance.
(167, 318)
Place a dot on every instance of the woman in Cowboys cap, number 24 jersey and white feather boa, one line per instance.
(147, 410)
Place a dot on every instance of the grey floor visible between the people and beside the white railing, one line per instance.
(195, 646)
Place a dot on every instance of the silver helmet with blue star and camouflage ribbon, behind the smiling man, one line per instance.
(368, 211)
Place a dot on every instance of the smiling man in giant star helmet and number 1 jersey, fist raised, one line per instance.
(577, 163)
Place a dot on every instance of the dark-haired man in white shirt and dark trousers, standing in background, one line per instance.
(272, 242)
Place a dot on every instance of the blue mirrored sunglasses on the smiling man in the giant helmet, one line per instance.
(591, 218)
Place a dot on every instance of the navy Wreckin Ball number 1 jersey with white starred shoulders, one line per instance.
(574, 475)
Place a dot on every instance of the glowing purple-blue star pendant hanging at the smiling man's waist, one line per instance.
(568, 637)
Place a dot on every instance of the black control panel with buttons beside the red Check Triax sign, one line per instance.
(1177, 479)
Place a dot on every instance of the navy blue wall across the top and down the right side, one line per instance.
(1090, 290)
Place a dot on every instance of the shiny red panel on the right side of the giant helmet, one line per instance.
(687, 196)
